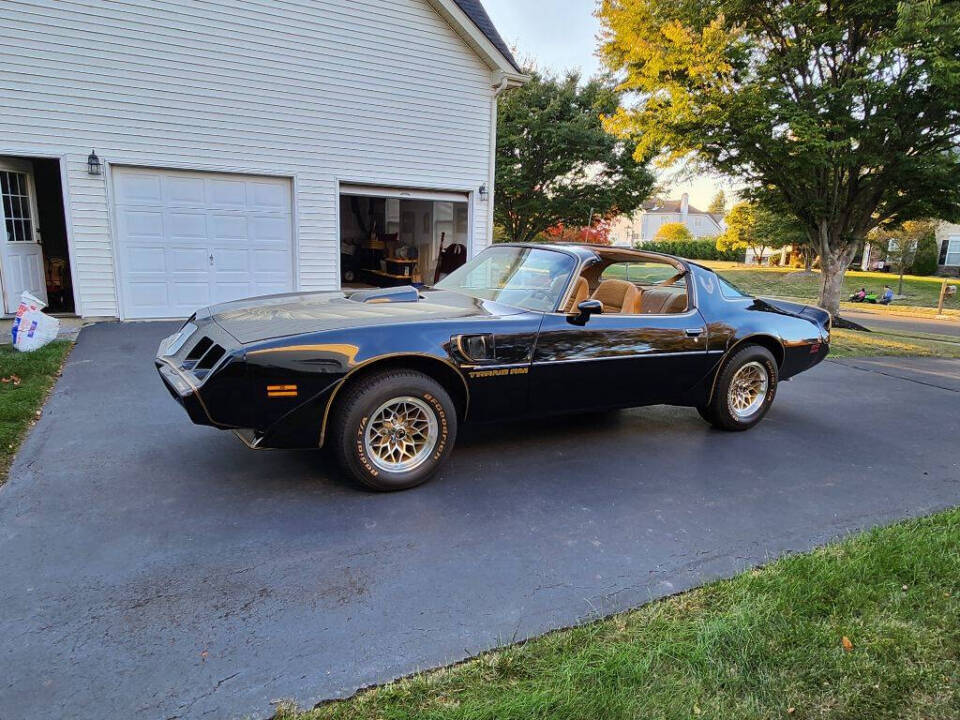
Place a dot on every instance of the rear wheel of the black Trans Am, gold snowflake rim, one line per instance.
(745, 390)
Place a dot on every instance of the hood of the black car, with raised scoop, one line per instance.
(279, 316)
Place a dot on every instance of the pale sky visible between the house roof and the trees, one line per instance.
(562, 34)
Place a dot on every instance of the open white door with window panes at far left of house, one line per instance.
(21, 255)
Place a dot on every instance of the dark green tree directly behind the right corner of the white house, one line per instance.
(556, 164)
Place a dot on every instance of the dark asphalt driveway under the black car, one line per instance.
(152, 569)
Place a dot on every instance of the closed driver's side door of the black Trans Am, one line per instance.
(617, 360)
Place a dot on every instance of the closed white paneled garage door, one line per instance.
(186, 239)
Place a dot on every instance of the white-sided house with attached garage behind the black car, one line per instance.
(230, 137)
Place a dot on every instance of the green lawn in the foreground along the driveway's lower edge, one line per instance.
(766, 644)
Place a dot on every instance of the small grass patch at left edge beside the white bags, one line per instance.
(20, 401)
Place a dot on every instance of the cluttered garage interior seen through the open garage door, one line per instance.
(387, 241)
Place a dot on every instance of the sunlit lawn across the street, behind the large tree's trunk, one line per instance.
(919, 291)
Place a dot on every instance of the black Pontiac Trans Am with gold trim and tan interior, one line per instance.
(384, 378)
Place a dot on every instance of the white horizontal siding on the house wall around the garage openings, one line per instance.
(322, 91)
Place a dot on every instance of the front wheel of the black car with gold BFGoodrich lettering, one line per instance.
(393, 430)
